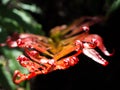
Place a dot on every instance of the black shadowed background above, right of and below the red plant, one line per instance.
(87, 74)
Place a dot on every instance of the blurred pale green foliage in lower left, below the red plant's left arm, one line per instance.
(8, 64)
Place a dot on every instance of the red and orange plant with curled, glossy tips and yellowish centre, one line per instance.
(60, 50)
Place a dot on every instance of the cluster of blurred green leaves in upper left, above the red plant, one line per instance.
(14, 14)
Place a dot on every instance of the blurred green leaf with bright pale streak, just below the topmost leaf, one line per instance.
(18, 20)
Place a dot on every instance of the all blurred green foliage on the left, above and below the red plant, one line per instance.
(14, 17)
